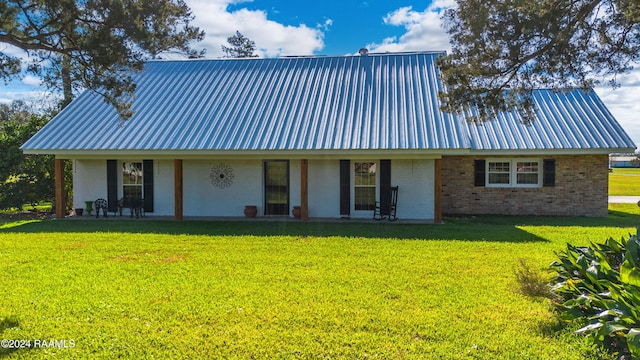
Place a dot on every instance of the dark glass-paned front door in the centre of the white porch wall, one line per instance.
(276, 187)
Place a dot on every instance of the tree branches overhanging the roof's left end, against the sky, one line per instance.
(93, 44)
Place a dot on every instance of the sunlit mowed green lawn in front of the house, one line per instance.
(168, 289)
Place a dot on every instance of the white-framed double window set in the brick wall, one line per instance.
(514, 173)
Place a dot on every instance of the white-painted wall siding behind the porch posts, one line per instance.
(415, 179)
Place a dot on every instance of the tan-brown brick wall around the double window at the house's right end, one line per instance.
(581, 187)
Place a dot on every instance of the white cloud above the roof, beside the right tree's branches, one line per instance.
(423, 29)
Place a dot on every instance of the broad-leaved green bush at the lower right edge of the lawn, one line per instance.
(600, 285)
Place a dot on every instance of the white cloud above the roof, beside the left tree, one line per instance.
(271, 38)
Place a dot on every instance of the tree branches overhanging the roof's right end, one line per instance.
(503, 49)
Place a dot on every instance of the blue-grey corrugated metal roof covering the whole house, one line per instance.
(362, 102)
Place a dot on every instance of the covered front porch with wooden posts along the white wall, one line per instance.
(221, 187)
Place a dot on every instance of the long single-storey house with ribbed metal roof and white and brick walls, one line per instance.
(329, 134)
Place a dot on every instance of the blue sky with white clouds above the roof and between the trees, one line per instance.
(339, 27)
